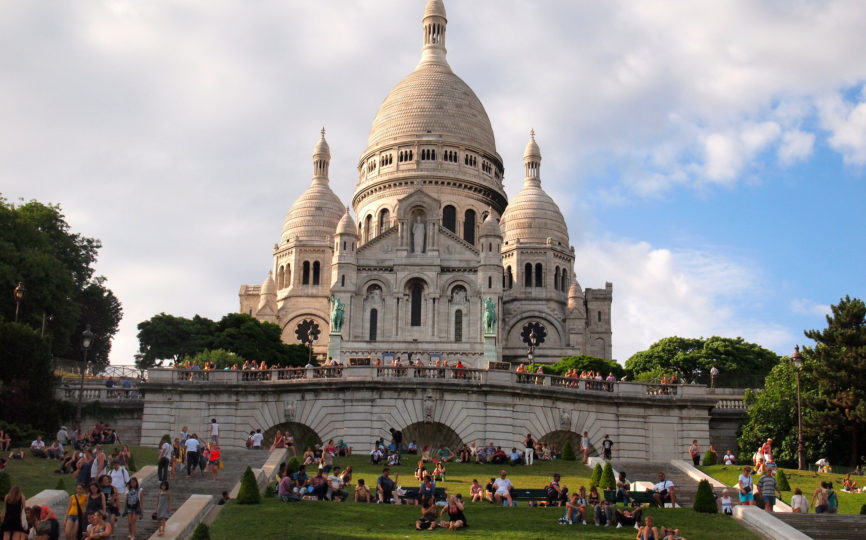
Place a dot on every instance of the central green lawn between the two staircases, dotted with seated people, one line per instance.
(311, 519)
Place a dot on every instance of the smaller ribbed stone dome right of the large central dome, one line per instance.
(532, 216)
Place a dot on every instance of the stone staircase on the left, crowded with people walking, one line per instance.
(235, 463)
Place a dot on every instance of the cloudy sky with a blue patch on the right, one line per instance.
(708, 157)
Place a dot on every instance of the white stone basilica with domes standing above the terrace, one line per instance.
(436, 238)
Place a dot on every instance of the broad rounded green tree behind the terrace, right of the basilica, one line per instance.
(693, 358)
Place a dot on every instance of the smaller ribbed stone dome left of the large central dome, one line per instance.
(315, 214)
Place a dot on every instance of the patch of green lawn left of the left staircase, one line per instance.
(35, 474)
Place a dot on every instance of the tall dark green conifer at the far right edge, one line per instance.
(838, 365)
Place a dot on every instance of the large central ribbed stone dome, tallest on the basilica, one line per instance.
(433, 102)
